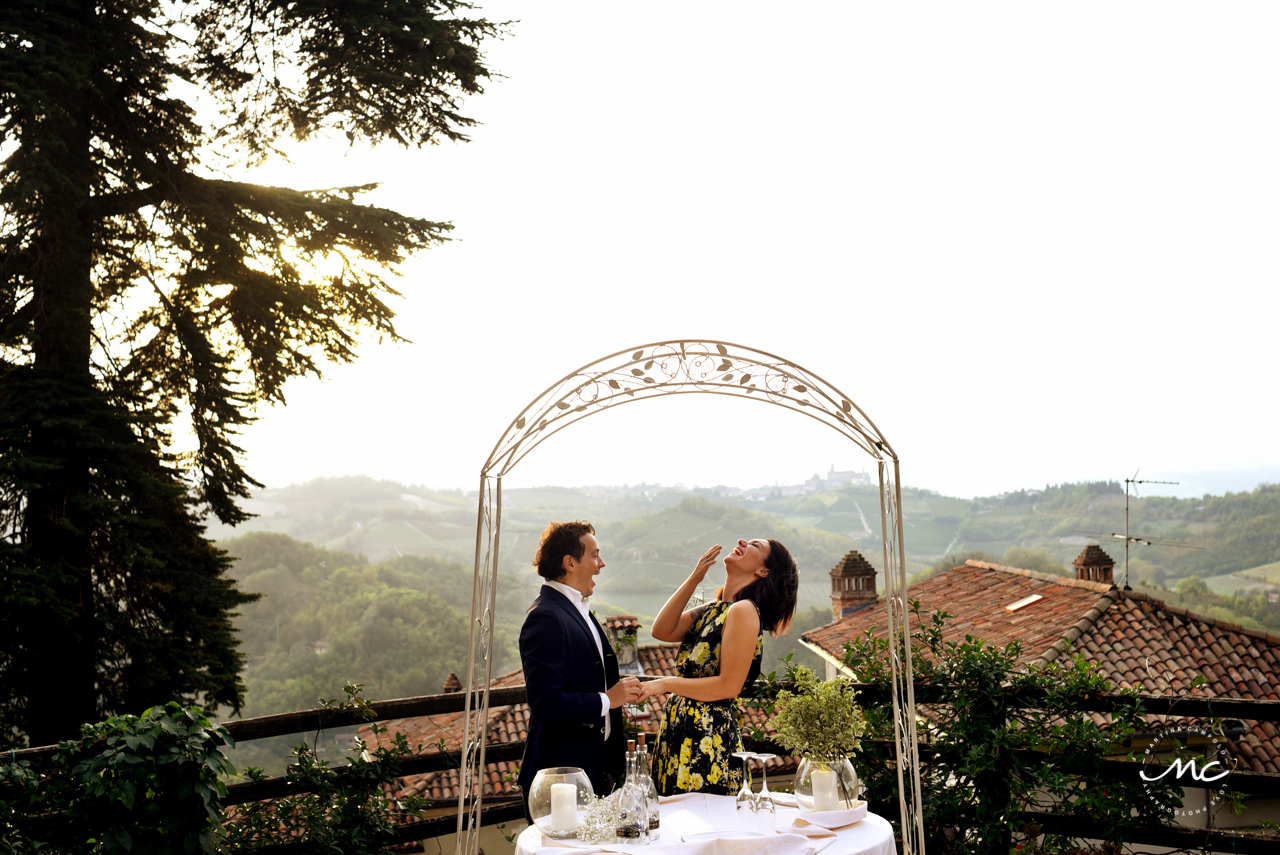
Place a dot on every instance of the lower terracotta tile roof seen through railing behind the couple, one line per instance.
(511, 724)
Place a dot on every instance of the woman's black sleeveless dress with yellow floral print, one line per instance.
(697, 740)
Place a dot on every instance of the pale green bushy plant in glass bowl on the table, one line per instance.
(819, 719)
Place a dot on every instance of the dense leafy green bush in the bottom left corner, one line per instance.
(145, 784)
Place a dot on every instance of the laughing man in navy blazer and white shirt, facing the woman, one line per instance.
(572, 673)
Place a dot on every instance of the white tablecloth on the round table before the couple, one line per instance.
(698, 813)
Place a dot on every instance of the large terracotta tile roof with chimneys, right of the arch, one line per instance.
(1132, 638)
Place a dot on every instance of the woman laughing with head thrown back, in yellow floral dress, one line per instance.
(720, 653)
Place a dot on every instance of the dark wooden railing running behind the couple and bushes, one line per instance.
(501, 811)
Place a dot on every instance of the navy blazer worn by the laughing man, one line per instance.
(565, 676)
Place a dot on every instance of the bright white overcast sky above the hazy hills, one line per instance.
(1035, 243)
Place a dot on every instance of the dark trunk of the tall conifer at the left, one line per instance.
(57, 529)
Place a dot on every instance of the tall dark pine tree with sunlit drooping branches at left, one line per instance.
(143, 292)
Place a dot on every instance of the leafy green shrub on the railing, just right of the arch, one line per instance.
(990, 758)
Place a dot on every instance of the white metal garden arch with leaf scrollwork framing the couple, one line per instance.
(684, 367)
